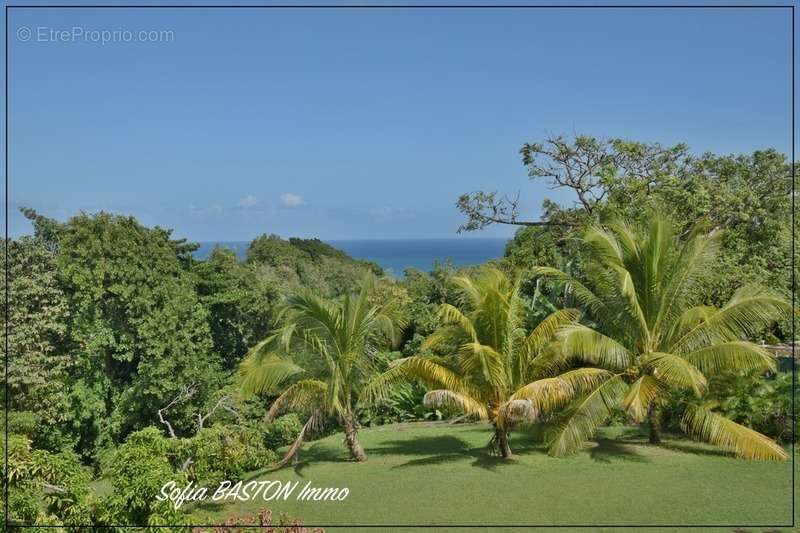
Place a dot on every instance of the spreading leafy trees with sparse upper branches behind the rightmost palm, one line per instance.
(747, 196)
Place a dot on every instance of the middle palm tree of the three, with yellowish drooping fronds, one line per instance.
(494, 369)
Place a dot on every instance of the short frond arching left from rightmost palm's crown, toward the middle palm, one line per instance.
(586, 344)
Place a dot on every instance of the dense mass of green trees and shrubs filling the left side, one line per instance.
(121, 348)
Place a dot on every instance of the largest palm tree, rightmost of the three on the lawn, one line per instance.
(649, 335)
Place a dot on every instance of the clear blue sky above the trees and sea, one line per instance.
(365, 124)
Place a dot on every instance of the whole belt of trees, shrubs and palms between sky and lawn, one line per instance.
(127, 355)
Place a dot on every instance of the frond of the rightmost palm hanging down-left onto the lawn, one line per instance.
(581, 419)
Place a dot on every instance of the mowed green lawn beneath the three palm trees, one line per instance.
(440, 474)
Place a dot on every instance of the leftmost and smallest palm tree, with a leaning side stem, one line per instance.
(324, 349)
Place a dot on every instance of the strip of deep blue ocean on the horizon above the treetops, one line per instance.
(394, 255)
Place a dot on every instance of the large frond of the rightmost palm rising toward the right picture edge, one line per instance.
(747, 313)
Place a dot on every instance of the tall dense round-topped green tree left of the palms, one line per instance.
(135, 325)
